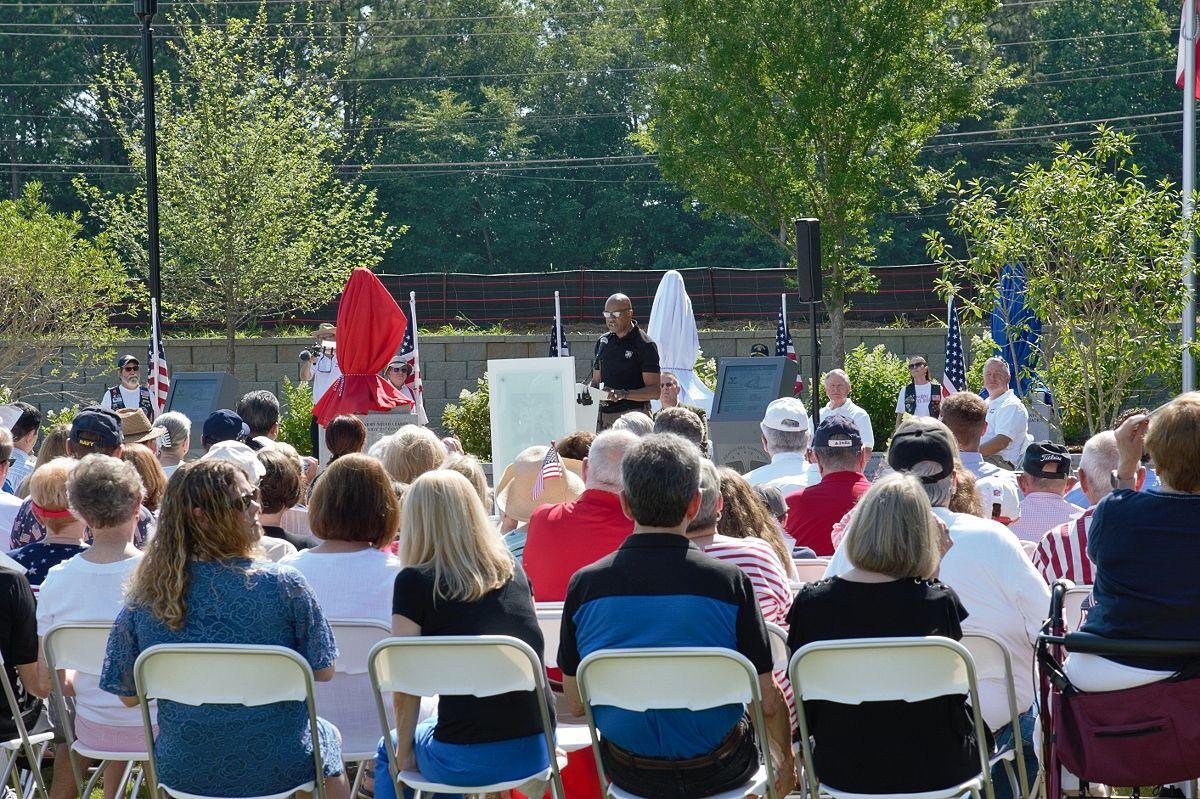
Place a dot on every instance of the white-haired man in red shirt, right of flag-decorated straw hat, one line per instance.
(562, 539)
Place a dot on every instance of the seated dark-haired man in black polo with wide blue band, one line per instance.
(662, 591)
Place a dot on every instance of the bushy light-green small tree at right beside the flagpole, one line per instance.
(1101, 247)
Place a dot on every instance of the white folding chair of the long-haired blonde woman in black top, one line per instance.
(461, 666)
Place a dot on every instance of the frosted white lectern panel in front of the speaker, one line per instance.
(532, 402)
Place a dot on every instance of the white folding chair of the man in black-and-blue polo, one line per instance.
(671, 680)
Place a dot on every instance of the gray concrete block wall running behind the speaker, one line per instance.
(453, 364)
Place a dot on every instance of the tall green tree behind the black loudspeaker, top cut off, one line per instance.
(775, 110)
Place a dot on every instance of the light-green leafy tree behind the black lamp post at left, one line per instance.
(262, 209)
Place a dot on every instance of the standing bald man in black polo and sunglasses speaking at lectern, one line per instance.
(627, 363)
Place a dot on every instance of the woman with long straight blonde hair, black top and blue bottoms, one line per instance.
(461, 581)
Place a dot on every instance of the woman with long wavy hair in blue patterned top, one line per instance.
(201, 582)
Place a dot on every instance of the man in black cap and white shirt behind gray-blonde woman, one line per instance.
(987, 568)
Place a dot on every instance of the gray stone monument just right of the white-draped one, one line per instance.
(745, 389)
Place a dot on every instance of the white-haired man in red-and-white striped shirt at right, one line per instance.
(1064, 550)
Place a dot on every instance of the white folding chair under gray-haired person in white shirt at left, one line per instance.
(81, 647)
